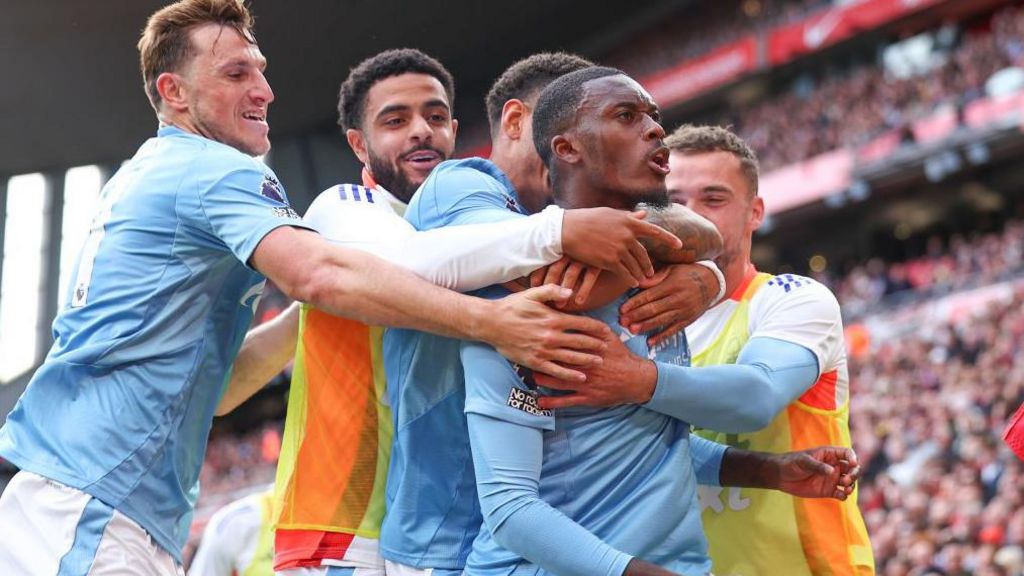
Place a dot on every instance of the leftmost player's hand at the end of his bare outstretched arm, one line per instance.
(526, 331)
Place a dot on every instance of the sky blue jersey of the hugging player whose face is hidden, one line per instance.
(433, 511)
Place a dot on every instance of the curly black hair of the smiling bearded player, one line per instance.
(353, 96)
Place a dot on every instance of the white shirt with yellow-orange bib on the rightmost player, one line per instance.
(759, 532)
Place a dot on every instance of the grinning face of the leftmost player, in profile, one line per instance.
(228, 94)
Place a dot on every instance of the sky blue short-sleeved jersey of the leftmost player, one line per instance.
(160, 303)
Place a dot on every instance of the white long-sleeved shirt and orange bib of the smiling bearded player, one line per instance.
(338, 431)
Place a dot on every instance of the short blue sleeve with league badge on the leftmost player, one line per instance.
(243, 208)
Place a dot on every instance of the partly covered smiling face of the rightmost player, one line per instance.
(713, 186)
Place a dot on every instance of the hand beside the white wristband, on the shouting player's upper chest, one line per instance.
(671, 301)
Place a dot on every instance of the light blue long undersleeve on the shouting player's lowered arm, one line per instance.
(507, 460)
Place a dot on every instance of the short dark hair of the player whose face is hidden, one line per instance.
(527, 78)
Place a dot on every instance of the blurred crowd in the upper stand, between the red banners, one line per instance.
(848, 109)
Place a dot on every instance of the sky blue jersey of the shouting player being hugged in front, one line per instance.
(579, 491)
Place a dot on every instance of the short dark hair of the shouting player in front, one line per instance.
(558, 106)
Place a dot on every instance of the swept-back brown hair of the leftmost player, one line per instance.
(165, 46)
